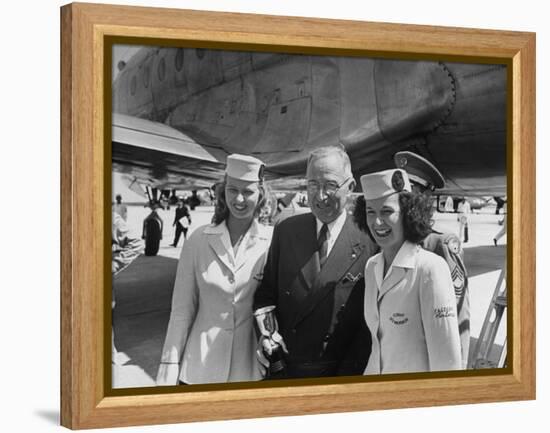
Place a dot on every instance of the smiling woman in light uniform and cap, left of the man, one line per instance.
(210, 336)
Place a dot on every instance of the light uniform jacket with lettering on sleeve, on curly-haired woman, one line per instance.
(411, 313)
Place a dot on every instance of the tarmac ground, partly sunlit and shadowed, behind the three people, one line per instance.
(143, 290)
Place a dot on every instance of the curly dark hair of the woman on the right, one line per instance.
(416, 210)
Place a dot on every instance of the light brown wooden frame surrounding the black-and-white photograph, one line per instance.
(85, 400)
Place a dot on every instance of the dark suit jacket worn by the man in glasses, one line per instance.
(320, 321)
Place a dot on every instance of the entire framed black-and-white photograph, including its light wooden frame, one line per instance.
(290, 219)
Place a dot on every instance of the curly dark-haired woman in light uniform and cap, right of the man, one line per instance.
(409, 301)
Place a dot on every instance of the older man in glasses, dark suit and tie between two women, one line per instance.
(313, 265)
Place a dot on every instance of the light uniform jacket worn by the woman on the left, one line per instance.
(211, 330)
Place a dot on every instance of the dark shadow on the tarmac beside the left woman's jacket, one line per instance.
(143, 294)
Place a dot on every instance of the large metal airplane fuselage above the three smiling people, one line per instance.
(279, 107)
